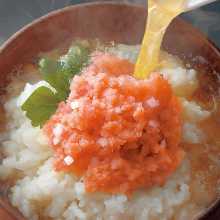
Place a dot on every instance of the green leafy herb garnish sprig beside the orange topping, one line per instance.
(42, 103)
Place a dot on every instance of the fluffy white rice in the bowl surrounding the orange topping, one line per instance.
(42, 193)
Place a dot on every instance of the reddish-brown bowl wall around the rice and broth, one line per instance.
(122, 23)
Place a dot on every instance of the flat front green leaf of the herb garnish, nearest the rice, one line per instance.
(40, 105)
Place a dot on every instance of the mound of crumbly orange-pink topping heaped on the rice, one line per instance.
(120, 133)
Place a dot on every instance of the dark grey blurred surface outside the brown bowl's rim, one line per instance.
(15, 14)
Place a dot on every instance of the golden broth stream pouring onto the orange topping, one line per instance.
(160, 15)
